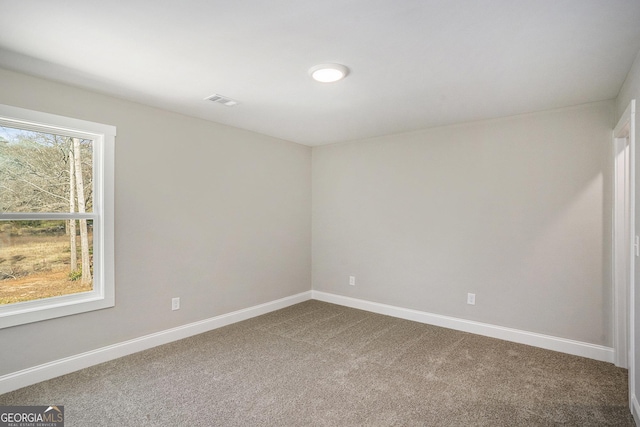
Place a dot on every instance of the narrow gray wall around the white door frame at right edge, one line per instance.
(631, 90)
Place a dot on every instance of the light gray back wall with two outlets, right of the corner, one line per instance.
(515, 210)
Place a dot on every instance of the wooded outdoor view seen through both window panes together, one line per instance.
(44, 173)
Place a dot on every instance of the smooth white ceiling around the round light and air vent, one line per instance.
(414, 63)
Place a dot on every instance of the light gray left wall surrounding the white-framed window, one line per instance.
(217, 216)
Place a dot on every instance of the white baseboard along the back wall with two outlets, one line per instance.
(548, 342)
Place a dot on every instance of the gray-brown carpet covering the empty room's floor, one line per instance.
(325, 365)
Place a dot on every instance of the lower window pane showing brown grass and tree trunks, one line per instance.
(36, 259)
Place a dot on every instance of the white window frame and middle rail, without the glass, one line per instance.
(103, 293)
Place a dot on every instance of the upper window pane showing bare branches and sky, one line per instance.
(42, 172)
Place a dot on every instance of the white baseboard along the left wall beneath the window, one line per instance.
(36, 374)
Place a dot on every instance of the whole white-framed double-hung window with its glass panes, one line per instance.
(56, 216)
